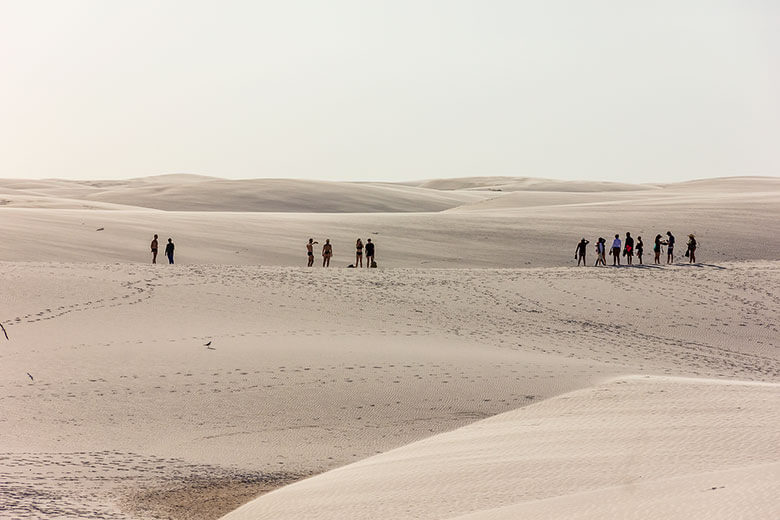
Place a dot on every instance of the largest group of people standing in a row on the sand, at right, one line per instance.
(630, 248)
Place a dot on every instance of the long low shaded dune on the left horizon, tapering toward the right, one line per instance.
(194, 193)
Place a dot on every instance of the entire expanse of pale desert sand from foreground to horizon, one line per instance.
(477, 374)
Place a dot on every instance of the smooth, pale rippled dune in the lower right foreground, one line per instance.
(611, 451)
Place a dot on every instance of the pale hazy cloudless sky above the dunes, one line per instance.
(390, 90)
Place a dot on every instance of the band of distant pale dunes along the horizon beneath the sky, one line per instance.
(181, 192)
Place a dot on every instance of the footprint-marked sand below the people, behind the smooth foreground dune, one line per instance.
(130, 416)
